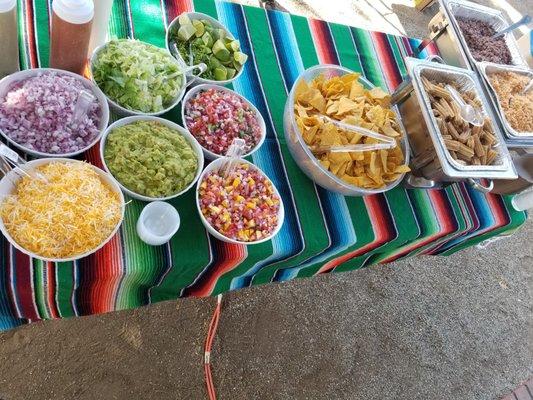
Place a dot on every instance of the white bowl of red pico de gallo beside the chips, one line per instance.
(216, 115)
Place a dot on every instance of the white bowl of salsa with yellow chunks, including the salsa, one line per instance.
(241, 206)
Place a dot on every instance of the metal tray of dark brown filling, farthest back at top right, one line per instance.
(475, 27)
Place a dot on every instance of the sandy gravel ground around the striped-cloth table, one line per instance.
(426, 328)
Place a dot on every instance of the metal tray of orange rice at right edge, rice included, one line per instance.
(507, 89)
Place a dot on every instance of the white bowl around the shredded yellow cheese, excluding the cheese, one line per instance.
(7, 187)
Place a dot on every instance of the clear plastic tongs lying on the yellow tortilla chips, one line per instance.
(386, 141)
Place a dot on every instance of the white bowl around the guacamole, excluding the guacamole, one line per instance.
(190, 138)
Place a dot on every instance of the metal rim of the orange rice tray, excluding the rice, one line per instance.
(486, 68)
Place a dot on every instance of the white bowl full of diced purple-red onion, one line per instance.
(38, 112)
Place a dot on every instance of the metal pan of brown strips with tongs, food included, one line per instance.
(457, 139)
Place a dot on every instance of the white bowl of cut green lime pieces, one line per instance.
(194, 38)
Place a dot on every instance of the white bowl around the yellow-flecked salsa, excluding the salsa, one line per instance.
(281, 213)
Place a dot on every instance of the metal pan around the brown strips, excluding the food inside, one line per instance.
(431, 158)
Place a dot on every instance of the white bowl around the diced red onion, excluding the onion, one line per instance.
(9, 80)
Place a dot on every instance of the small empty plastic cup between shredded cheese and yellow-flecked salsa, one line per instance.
(158, 222)
